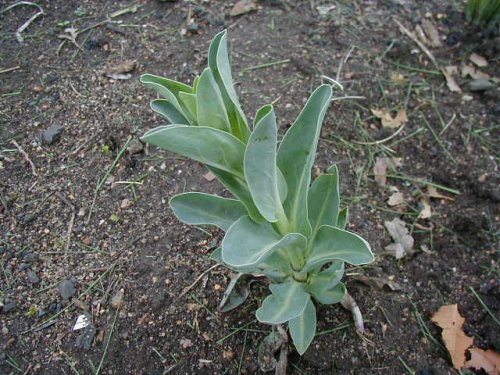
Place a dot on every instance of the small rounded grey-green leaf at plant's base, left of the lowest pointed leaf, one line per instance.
(287, 301)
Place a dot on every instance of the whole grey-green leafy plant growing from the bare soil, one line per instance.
(280, 225)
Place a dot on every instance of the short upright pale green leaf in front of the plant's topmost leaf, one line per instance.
(211, 110)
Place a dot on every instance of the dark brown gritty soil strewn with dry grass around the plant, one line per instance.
(84, 220)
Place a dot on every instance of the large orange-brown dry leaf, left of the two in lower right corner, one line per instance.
(456, 341)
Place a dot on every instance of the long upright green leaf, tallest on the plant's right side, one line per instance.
(296, 156)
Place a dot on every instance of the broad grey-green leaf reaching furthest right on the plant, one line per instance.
(333, 243)
